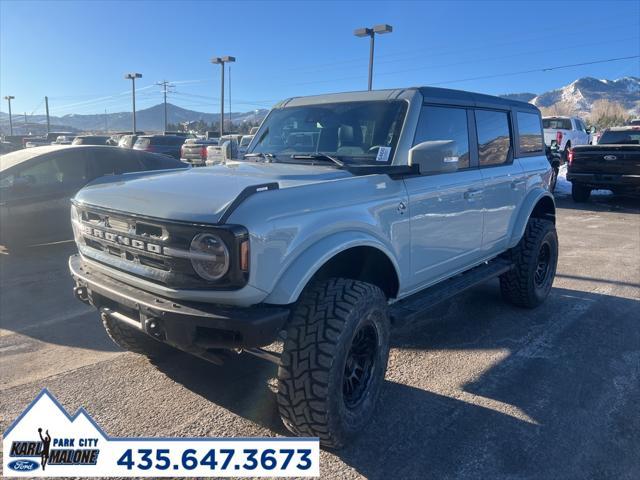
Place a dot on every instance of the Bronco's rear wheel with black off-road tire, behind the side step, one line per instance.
(534, 259)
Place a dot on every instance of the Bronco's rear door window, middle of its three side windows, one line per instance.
(494, 138)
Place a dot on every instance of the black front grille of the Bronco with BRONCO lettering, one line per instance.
(141, 246)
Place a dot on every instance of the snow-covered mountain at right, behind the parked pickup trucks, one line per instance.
(583, 92)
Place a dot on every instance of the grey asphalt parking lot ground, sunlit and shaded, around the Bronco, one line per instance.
(478, 389)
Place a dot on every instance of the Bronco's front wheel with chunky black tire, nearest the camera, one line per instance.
(334, 360)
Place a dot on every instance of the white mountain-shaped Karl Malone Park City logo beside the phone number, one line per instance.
(30, 445)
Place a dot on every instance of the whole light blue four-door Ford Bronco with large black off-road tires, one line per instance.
(351, 214)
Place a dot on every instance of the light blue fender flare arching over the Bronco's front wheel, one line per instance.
(295, 277)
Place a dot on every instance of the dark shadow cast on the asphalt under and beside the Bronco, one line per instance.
(560, 404)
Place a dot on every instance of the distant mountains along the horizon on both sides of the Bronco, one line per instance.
(579, 94)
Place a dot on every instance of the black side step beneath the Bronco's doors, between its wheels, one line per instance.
(410, 308)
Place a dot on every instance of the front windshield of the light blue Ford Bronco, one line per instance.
(363, 133)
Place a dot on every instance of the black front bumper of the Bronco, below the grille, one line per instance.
(190, 326)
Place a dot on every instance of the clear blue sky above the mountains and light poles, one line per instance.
(77, 52)
